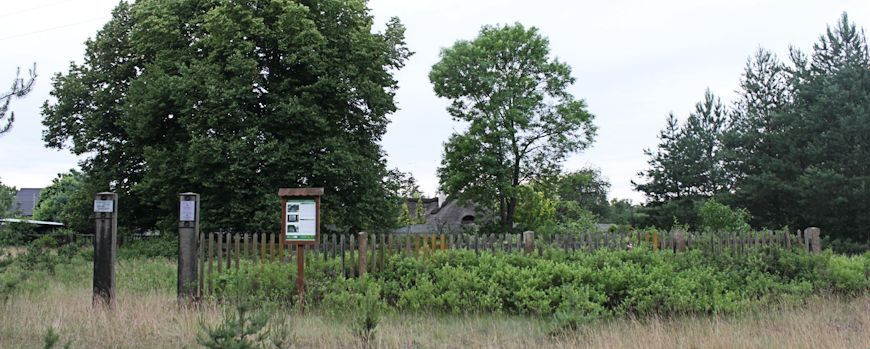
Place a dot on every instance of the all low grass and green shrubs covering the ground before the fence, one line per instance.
(456, 298)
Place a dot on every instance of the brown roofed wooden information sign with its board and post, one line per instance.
(300, 218)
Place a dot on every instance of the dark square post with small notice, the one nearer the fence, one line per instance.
(188, 231)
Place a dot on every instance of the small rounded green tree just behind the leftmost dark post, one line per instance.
(62, 200)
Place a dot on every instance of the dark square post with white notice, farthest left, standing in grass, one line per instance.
(105, 247)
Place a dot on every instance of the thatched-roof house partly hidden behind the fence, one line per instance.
(442, 215)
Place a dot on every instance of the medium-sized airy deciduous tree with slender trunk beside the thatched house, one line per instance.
(522, 121)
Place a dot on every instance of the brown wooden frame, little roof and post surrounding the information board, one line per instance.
(301, 194)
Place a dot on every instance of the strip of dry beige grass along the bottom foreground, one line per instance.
(152, 320)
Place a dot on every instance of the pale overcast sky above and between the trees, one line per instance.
(634, 61)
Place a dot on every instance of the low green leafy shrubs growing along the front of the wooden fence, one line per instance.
(603, 283)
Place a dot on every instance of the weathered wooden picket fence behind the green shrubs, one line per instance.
(357, 254)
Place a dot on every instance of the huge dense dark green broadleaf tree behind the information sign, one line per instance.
(233, 99)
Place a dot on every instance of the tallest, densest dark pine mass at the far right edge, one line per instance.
(799, 137)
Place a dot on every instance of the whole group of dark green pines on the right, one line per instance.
(792, 150)
